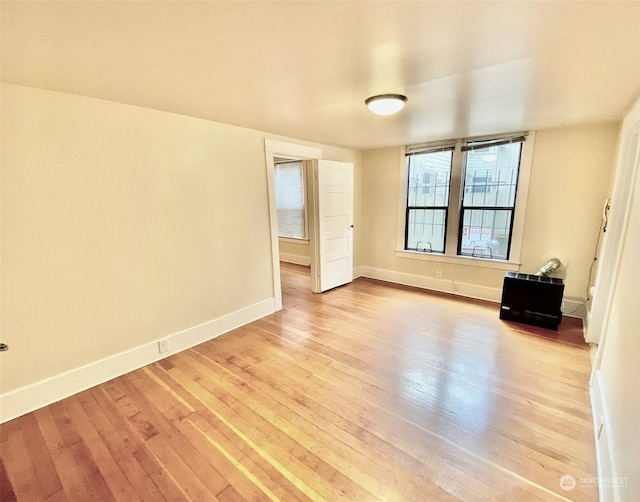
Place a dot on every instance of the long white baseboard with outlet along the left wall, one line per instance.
(32, 397)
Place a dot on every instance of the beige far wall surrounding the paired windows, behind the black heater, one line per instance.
(569, 180)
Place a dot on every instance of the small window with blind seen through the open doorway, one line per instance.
(289, 181)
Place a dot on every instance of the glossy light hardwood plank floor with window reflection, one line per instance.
(367, 392)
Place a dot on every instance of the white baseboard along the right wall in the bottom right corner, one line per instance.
(604, 445)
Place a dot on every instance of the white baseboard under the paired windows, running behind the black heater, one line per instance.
(574, 308)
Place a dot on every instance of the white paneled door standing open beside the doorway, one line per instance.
(334, 244)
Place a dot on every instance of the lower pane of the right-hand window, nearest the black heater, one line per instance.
(485, 233)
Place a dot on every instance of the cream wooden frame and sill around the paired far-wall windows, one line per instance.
(454, 212)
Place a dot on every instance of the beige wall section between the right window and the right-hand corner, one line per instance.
(570, 180)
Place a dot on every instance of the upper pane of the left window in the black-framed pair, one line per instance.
(429, 177)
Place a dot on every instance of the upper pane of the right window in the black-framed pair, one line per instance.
(491, 176)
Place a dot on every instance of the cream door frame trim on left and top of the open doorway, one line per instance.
(275, 148)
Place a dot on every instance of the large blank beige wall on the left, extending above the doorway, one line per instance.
(122, 225)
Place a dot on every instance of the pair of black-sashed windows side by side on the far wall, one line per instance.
(461, 197)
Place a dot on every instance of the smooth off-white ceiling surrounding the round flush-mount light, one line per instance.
(304, 69)
